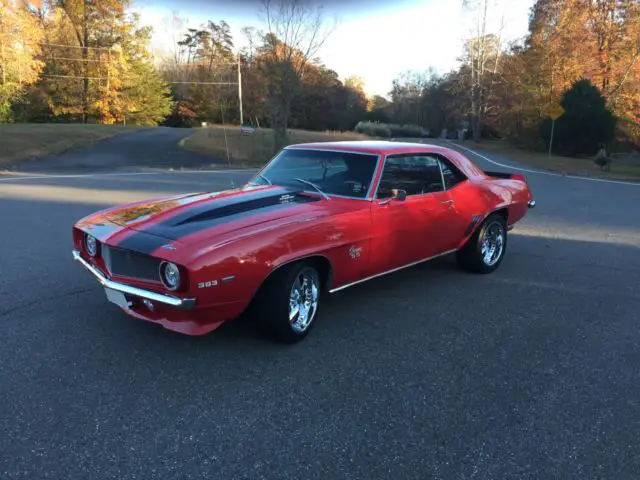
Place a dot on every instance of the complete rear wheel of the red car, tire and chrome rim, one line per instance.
(485, 249)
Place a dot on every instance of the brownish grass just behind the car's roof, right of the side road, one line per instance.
(252, 150)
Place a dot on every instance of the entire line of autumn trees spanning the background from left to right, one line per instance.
(90, 61)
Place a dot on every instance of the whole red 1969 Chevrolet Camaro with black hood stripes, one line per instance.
(318, 218)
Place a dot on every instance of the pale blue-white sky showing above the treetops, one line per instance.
(375, 39)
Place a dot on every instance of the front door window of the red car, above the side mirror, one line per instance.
(416, 174)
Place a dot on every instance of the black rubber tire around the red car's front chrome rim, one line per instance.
(271, 306)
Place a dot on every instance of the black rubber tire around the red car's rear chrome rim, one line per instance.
(470, 256)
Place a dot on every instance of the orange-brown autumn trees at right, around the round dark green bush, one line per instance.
(506, 89)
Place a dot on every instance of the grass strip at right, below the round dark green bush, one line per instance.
(557, 163)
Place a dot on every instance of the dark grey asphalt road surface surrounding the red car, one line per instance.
(531, 372)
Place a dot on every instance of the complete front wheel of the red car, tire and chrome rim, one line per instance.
(288, 303)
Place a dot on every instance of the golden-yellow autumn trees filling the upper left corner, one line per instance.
(78, 60)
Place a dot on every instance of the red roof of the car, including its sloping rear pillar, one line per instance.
(386, 147)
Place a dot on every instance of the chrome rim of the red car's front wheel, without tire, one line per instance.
(303, 299)
